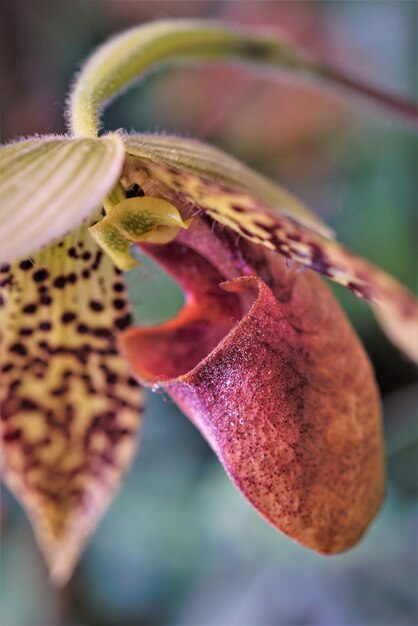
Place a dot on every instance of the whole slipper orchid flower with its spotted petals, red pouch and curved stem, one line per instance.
(261, 358)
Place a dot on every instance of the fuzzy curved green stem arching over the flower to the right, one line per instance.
(132, 54)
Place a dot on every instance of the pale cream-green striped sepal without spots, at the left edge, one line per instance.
(50, 185)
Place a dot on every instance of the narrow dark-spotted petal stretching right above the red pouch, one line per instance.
(251, 217)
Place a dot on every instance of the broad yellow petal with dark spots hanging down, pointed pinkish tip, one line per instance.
(70, 410)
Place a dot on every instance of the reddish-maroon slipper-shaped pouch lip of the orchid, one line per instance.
(292, 413)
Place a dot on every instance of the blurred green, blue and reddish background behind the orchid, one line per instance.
(179, 546)
